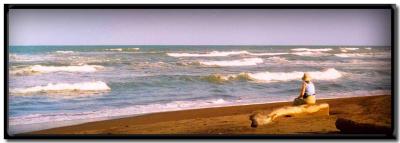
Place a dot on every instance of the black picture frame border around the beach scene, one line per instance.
(394, 69)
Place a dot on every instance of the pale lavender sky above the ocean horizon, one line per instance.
(199, 27)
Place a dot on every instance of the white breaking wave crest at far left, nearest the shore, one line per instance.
(63, 87)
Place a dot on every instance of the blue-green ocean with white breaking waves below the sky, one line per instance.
(52, 86)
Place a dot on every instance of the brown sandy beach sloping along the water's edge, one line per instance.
(374, 110)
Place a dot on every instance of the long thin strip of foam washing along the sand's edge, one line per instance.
(116, 112)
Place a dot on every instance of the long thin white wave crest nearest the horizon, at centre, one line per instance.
(210, 54)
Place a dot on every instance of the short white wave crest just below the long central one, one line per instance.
(241, 62)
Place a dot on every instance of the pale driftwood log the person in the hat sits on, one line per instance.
(258, 119)
